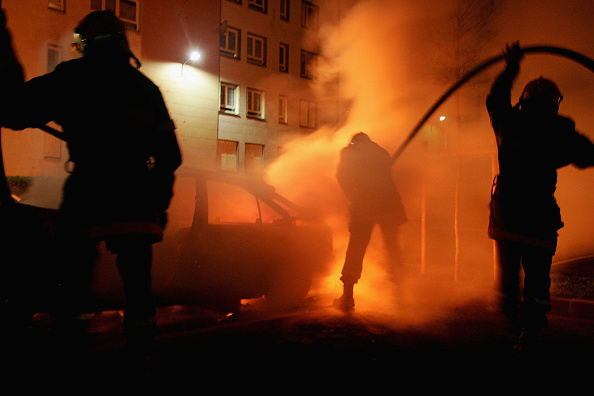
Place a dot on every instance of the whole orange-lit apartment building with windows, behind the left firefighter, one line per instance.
(234, 107)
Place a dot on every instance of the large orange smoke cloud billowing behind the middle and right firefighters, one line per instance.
(393, 59)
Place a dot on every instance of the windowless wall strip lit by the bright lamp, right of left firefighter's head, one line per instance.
(172, 30)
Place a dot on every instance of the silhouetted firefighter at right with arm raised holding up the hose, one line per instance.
(533, 141)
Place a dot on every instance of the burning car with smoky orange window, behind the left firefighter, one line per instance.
(228, 238)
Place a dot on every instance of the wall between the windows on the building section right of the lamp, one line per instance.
(268, 131)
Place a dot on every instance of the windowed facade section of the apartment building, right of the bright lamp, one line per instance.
(269, 50)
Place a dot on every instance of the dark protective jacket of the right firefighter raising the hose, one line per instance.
(531, 146)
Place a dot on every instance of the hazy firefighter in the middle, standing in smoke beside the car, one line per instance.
(365, 175)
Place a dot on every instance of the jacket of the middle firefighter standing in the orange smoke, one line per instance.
(365, 175)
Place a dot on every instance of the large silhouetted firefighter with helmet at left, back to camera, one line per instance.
(123, 152)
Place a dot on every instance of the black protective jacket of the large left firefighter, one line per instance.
(120, 137)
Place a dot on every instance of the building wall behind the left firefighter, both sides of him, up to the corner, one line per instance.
(168, 28)
